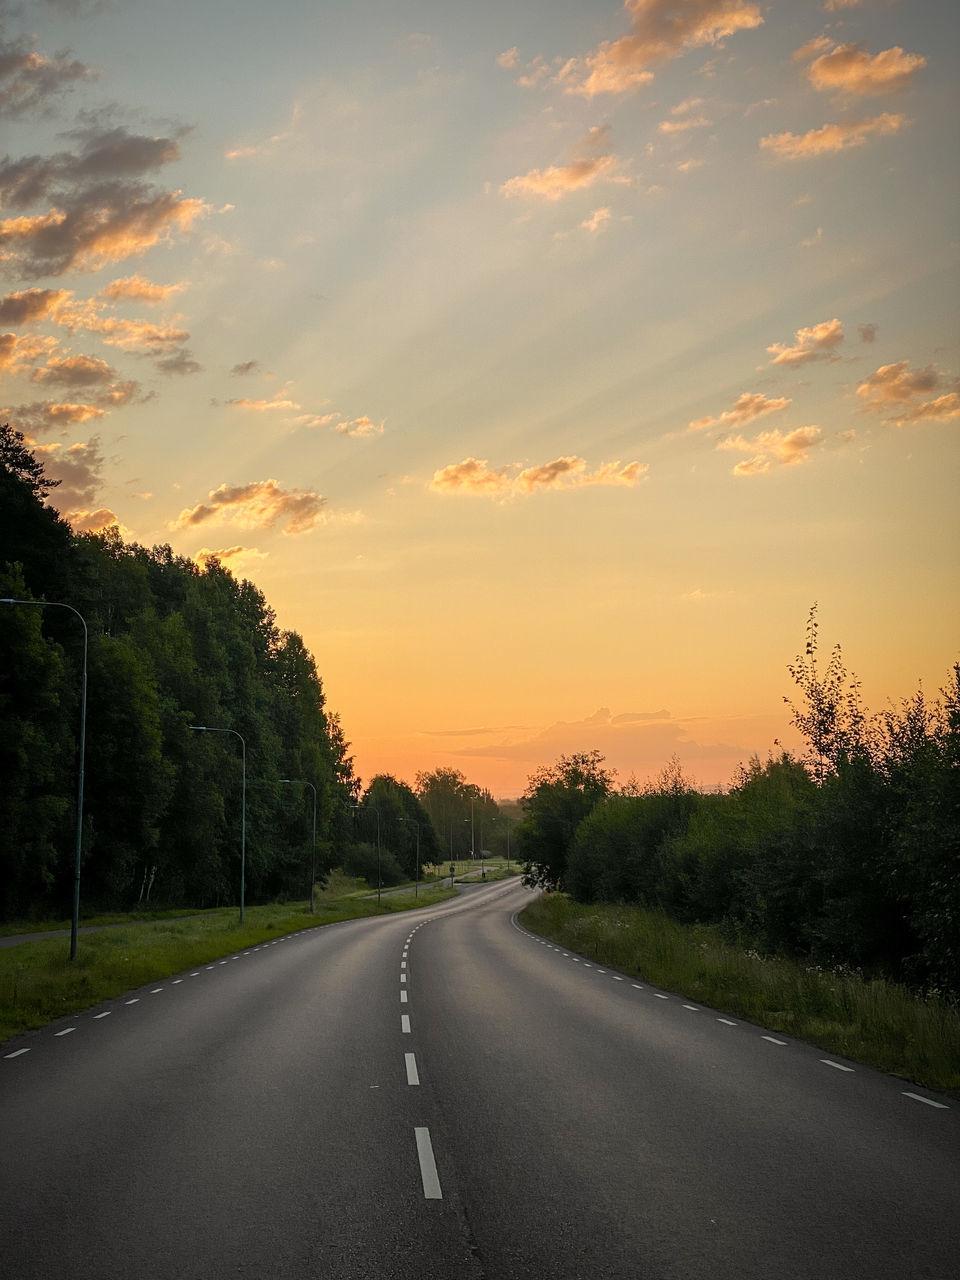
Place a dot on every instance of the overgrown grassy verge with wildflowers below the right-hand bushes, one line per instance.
(876, 1023)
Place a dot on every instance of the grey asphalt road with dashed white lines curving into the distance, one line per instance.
(441, 1095)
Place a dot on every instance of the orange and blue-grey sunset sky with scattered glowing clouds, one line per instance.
(543, 364)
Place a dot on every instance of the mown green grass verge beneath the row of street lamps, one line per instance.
(39, 982)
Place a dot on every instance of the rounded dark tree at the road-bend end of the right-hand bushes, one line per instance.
(556, 802)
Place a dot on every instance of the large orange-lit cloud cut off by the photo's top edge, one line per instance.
(661, 30)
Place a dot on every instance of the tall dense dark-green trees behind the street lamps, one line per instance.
(171, 647)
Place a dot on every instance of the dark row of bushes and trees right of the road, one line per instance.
(848, 856)
